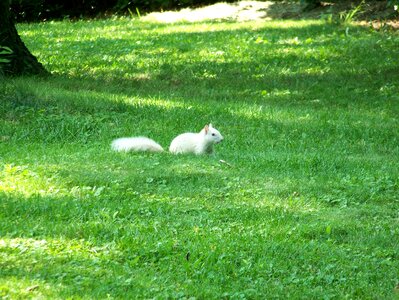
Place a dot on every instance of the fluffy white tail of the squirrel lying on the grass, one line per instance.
(136, 144)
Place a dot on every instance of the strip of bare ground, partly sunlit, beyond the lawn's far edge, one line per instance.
(376, 13)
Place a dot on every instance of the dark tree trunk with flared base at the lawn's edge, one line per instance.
(20, 61)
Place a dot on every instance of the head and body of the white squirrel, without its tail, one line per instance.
(197, 143)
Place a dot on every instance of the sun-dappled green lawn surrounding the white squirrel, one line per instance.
(307, 209)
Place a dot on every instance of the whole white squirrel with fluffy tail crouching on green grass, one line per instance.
(189, 142)
